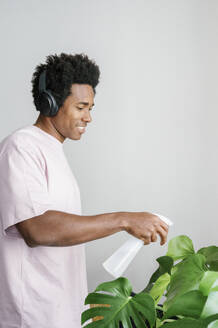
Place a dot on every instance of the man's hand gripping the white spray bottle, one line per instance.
(145, 226)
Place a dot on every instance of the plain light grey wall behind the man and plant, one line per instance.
(152, 145)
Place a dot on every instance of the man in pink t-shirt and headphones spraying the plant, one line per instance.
(42, 259)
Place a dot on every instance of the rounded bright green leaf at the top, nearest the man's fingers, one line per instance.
(180, 247)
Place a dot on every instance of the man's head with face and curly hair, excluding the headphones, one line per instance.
(72, 80)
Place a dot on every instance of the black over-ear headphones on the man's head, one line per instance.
(47, 102)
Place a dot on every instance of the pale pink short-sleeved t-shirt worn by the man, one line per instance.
(40, 287)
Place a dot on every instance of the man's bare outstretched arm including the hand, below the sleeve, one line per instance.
(55, 228)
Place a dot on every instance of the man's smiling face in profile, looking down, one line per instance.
(74, 115)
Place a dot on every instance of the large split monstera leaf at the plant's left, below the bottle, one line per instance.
(121, 306)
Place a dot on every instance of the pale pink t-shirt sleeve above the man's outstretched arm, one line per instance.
(23, 188)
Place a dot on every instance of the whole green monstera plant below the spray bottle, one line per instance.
(182, 293)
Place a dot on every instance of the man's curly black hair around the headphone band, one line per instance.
(61, 72)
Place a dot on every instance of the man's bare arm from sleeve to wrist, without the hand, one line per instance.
(55, 228)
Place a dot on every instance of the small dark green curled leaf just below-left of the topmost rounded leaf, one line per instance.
(165, 266)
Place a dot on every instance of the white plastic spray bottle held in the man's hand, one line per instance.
(118, 262)
